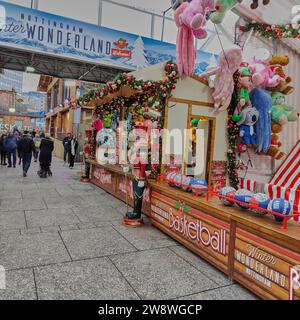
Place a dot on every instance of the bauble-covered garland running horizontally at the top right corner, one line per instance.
(274, 31)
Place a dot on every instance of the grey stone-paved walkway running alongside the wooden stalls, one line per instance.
(60, 239)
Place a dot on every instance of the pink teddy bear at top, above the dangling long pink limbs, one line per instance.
(193, 15)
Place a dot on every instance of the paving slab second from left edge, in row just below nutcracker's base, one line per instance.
(95, 243)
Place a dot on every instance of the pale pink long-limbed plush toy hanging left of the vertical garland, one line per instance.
(229, 63)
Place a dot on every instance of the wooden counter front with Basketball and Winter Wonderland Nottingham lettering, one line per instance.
(253, 250)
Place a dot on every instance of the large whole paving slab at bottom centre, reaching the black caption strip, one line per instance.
(161, 274)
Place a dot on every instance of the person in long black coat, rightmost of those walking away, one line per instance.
(46, 149)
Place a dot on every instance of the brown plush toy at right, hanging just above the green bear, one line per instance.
(277, 63)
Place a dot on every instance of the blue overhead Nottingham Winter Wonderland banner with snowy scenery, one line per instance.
(37, 31)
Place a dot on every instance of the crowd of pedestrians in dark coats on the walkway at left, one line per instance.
(23, 147)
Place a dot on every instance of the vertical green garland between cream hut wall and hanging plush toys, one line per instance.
(232, 135)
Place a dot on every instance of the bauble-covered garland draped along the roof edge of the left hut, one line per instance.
(160, 89)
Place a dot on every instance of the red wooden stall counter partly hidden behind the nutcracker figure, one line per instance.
(112, 179)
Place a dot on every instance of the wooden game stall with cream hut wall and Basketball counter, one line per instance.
(252, 249)
